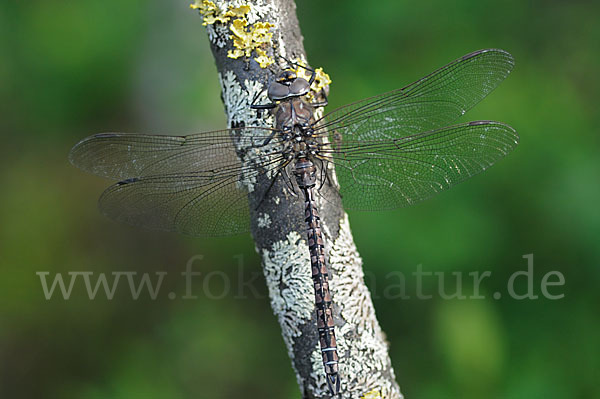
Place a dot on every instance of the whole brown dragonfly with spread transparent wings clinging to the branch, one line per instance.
(388, 151)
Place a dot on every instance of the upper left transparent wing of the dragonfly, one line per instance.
(122, 155)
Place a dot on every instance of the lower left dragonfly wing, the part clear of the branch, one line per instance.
(197, 205)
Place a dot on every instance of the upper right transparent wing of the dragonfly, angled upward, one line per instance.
(427, 104)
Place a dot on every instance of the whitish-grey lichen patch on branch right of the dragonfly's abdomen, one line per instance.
(363, 350)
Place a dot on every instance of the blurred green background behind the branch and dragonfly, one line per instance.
(69, 69)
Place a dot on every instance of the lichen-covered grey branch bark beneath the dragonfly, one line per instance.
(279, 232)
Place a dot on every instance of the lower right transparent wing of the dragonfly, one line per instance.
(394, 173)
